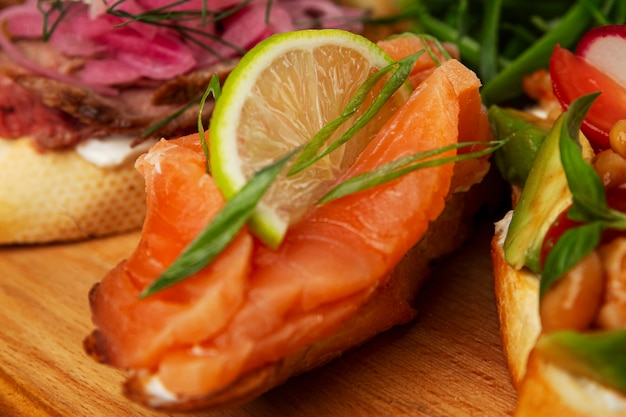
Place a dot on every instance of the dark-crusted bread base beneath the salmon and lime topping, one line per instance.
(389, 306)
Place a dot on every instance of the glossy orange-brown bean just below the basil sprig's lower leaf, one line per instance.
(572, 303)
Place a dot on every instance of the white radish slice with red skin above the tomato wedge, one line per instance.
(605, 48)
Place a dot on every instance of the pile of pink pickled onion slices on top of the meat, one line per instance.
(124, 50)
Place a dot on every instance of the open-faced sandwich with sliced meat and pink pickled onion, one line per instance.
(85, 87)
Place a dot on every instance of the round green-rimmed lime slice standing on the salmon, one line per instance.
(279, 96)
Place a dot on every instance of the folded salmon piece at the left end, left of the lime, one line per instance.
(181, 198)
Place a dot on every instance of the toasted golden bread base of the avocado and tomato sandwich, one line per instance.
(544, 389)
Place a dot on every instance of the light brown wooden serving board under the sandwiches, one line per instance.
(448, 362)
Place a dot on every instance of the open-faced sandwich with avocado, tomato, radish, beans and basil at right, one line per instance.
(560, 255)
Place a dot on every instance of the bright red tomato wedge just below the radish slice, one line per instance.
(573, 77)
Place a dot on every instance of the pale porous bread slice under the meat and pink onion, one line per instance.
(58, 196)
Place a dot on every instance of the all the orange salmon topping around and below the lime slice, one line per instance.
(253, 305)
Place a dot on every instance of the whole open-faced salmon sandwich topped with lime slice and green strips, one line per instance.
(337, 171)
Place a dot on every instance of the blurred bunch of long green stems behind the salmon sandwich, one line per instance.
(505, 40)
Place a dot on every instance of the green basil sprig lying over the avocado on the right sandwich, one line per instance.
(589, 205)
